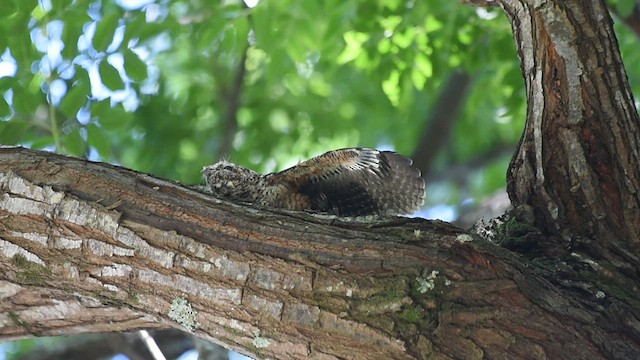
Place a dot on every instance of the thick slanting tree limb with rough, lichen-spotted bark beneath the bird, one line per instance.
(90, 247)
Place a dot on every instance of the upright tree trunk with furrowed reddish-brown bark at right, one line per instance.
(578, 163)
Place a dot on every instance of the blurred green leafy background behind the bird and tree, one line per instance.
(166, 87)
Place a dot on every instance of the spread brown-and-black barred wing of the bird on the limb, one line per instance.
(357, 182)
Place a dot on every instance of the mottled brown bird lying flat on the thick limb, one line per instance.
(346, 182)
